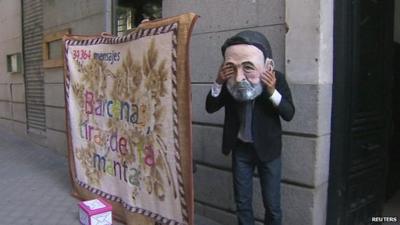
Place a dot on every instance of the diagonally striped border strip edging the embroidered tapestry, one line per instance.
(117, 40)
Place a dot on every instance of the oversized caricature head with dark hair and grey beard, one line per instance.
(249, 53)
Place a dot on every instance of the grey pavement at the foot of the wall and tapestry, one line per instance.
(35, 186)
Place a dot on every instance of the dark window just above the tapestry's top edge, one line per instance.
(128, 13)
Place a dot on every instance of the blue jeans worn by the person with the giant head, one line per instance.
(244, 161)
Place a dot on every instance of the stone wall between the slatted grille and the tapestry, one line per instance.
(81, 17)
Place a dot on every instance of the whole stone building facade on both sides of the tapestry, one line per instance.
(301, 35)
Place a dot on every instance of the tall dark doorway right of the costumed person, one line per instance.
(362, 111)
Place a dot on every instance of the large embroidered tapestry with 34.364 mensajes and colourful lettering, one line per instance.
(128, 107)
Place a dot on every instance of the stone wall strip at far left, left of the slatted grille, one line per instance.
(12, 91)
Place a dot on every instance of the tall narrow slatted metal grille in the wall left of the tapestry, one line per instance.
(32, 30)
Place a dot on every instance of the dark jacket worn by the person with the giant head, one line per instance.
(267, 130)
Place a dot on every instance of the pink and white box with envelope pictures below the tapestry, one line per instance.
(95, 212)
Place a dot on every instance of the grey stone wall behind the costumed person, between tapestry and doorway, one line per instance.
(305, 52)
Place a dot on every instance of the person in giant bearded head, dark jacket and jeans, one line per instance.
(254, 96)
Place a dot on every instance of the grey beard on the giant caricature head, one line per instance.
(244, 90)
